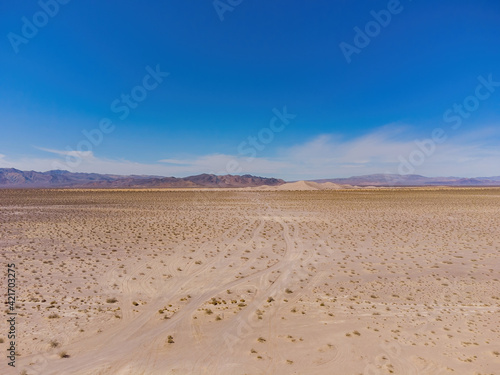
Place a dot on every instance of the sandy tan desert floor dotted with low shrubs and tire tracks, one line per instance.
(380, 281)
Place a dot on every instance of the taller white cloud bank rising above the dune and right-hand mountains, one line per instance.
(467, 155)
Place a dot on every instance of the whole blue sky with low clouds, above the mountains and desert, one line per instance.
(276, 72)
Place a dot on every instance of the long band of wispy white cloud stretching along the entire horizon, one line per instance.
(326, 155)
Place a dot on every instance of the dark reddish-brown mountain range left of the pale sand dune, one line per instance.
(10, 177)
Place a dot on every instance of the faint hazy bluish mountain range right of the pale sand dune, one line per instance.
(412, 180)
